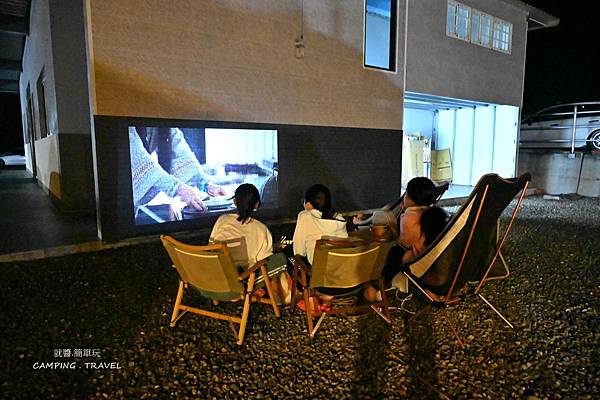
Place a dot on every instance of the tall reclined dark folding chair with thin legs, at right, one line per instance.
(468, 248)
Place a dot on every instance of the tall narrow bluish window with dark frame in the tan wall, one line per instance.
(380, 34)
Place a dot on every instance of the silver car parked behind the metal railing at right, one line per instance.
(565, 126)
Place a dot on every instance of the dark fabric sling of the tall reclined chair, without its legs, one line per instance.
(464, 250)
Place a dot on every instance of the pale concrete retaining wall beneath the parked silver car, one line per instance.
(561, 173)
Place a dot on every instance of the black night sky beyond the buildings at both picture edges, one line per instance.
(561, 65)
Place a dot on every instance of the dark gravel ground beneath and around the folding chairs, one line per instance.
(118, 302)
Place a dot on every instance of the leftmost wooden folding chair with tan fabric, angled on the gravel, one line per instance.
(211, 270)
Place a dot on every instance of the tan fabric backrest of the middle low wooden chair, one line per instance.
(345, 266)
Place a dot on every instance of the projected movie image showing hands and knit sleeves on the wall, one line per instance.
(185, 173)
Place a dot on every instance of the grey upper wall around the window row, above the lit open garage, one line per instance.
(445, 66)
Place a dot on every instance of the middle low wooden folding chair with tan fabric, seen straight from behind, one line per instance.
(341, 264)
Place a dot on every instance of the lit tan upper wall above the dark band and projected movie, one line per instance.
(233, 60)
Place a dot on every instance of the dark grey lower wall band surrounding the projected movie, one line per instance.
(361, 167)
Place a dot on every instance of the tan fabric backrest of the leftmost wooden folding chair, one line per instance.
(207, 268)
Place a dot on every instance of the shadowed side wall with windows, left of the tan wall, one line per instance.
(55, 45)
